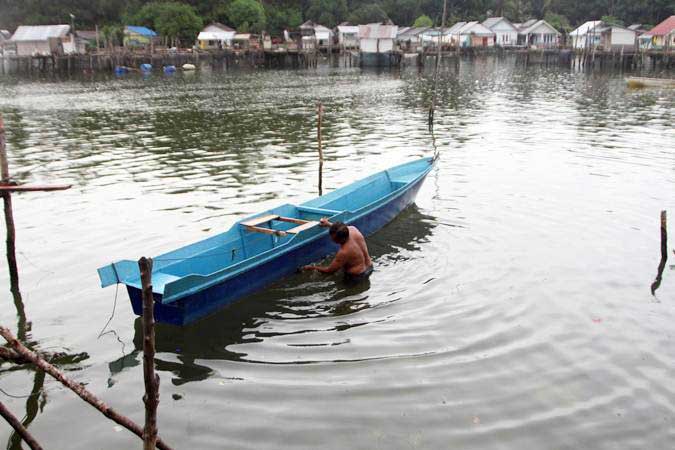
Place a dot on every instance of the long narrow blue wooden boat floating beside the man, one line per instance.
(194, 281)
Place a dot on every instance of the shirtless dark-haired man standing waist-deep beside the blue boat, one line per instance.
(353, 255)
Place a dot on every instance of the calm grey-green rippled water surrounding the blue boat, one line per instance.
(510, 308)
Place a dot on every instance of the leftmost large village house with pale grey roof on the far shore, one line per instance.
(45, 40)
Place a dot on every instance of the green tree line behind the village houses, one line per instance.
(183, 20)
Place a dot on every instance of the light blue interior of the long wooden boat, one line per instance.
(255, 236)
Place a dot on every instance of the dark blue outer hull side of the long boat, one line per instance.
(194, 307)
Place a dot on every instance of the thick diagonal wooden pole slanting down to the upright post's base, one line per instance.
(77, 388)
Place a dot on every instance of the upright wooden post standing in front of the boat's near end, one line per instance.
(151, 397)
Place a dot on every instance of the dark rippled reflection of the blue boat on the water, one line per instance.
(326, 300)
